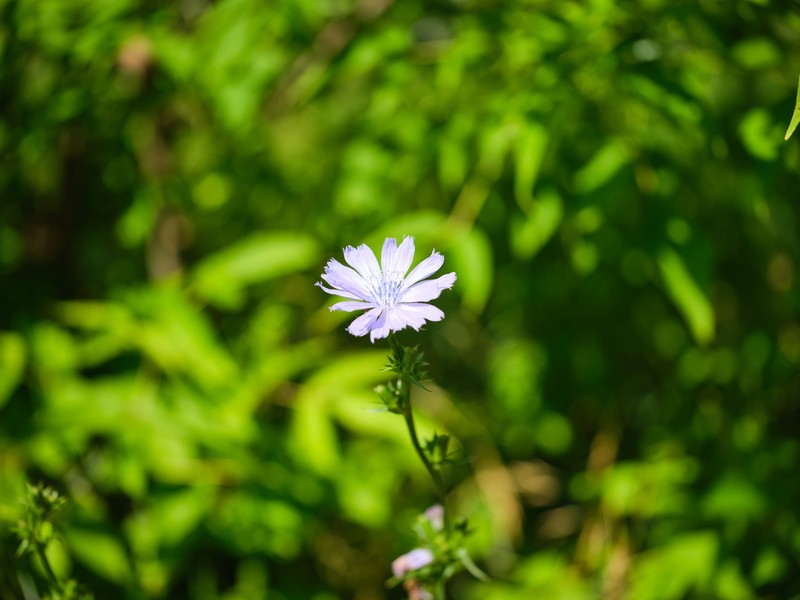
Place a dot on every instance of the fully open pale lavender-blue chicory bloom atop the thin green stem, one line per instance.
(392, 299)
